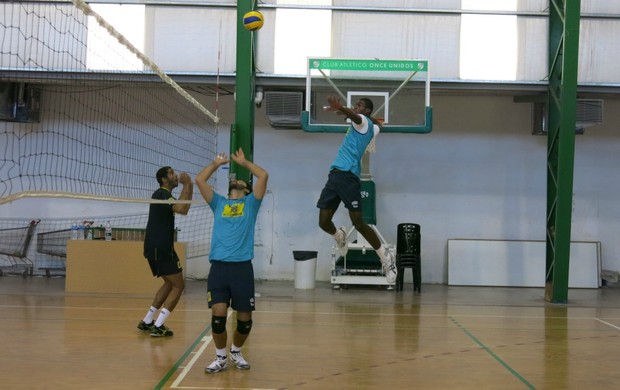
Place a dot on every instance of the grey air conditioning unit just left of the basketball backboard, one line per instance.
(284, 109)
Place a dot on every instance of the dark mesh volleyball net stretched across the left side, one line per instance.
(86, 116)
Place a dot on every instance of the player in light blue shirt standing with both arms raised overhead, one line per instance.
(231, 277)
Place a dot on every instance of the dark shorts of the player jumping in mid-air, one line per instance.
(342, 186)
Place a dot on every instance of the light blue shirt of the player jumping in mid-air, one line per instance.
(349, 157)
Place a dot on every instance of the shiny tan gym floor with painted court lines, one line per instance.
(361, 337)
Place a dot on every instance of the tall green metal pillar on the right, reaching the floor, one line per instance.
(564, 18)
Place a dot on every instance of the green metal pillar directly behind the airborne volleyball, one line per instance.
(242, 131)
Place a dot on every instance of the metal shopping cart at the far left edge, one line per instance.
(14, 245)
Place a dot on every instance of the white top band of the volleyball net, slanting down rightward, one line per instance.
(81, 5)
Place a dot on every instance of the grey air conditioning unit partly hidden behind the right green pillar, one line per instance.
(588, 112)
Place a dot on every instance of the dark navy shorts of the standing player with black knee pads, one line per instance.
(231, 282)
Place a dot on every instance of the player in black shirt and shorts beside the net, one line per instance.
(159, 249)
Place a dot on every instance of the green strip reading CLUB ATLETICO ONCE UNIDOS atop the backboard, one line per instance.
(368, 65)
